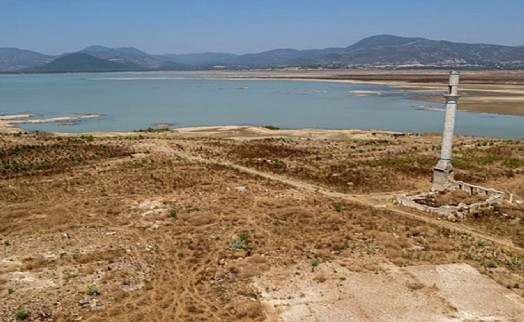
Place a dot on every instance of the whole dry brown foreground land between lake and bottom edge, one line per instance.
(249, 224)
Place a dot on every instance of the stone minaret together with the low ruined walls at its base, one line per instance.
(443, 179)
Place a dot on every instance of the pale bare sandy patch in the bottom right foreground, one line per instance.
(452, 292)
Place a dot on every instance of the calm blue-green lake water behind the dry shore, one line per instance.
(130, 101)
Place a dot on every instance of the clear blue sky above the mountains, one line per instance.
(244, 26)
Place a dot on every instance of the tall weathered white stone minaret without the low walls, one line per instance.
(443, 171)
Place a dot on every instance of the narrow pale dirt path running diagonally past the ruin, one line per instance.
(377, 201)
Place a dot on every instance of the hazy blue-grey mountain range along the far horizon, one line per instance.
(384, 51)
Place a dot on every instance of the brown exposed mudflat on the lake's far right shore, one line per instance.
(498, 92)
